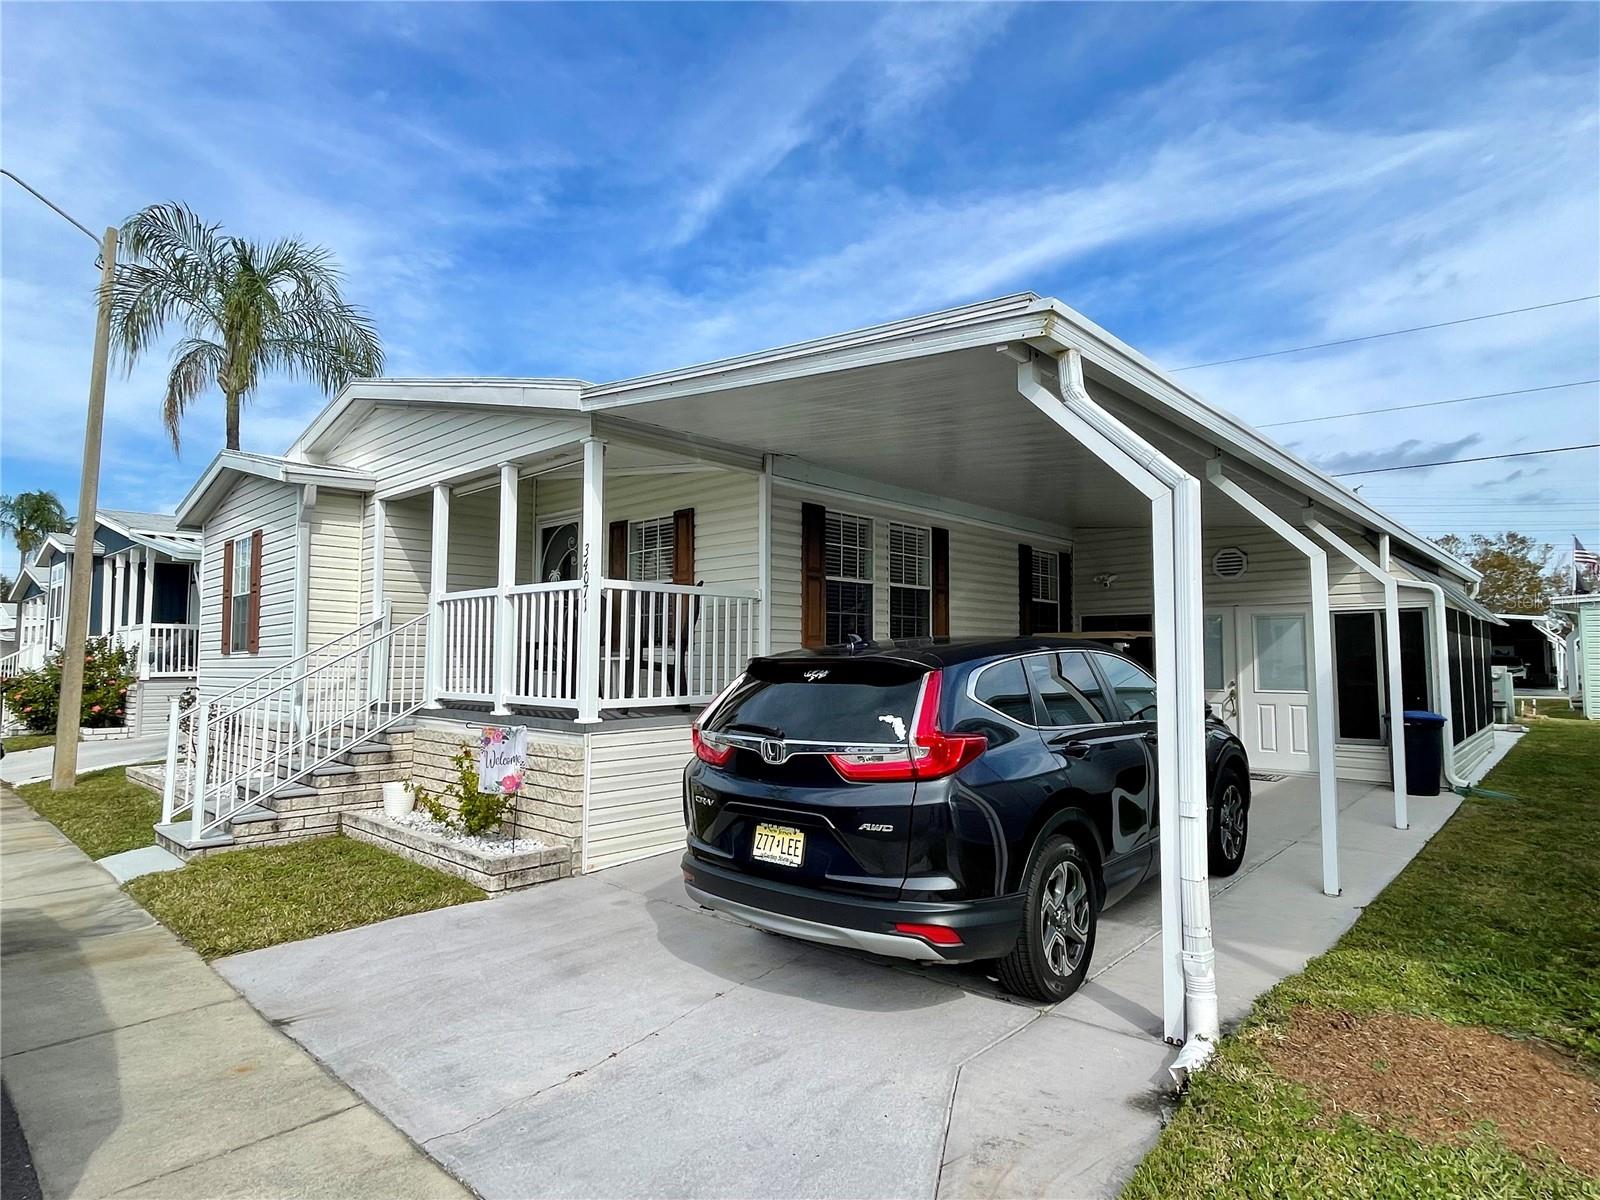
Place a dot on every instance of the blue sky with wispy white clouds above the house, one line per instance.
(602, 191)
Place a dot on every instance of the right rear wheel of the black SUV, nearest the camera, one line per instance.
(1054, 970)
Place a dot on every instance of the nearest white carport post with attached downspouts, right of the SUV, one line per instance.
(1188, 954)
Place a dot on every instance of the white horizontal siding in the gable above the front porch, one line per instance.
(410, 447)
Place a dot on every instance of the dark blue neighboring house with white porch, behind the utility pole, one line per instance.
(143, 594)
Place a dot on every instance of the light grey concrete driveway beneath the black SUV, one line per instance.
(604, 1038)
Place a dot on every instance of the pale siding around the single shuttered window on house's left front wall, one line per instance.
(250, 505)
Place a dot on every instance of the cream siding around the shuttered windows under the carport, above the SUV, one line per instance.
(983, 567)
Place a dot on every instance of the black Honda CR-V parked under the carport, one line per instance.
(942, 802)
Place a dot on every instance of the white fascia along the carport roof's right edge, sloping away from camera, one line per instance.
(1122, 362)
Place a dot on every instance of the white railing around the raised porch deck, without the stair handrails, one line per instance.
(660, 644)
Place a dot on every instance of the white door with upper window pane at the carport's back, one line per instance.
(1274, 689)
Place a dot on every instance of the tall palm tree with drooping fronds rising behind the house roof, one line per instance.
(246, 308)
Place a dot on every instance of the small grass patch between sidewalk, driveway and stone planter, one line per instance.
(246, 900)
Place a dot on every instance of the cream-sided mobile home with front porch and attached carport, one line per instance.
(599, 562)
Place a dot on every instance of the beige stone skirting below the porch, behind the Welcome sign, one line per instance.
(551, 806)
